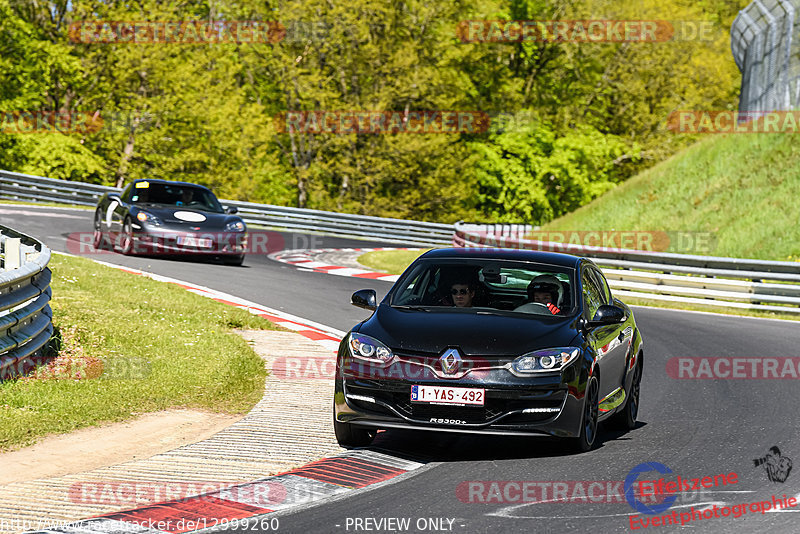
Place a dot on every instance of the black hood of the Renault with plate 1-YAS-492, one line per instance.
(475, 334)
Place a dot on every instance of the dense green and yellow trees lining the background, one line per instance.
(569, 120)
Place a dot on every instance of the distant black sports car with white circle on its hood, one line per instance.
(164, 217)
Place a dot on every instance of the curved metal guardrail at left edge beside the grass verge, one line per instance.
(25, 315)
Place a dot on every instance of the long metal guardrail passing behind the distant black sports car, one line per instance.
(15, 186)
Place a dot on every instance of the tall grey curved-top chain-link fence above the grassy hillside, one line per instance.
(764, 41)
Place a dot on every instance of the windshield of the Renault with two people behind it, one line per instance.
(488, 285)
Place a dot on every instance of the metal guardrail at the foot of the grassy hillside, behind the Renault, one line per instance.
(707, 280)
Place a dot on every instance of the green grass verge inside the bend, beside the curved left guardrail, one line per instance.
(160, 347)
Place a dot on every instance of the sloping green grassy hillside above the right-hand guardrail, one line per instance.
(744, 189)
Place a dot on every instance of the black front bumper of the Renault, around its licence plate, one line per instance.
(548, 404)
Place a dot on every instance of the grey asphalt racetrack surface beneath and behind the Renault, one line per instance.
(697, 428)
